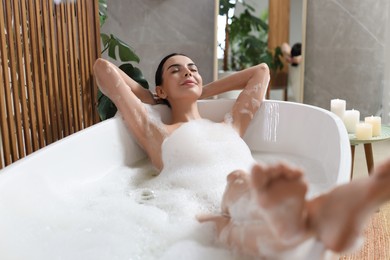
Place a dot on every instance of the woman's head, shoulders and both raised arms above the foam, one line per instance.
(181, 87)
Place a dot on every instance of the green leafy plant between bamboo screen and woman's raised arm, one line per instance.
(113, 45)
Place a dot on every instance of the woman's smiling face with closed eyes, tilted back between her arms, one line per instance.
(181, 79)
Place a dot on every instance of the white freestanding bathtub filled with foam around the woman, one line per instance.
(56, 204)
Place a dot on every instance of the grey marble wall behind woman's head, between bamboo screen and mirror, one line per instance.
(155, 28)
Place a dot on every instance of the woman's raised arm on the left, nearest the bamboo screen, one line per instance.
(128, 96)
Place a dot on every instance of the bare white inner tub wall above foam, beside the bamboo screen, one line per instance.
(89, 153)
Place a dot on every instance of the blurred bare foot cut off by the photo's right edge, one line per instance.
(338, 217)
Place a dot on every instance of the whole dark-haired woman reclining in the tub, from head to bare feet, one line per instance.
(272, 194)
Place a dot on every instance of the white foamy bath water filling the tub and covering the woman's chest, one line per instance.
(131, 213)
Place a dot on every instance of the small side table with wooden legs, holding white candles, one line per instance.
(385, 135)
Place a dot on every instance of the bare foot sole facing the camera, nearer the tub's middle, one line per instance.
(280, 192)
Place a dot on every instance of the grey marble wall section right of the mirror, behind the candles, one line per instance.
(345, 43)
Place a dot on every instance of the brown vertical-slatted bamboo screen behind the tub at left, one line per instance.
(46, 87)
